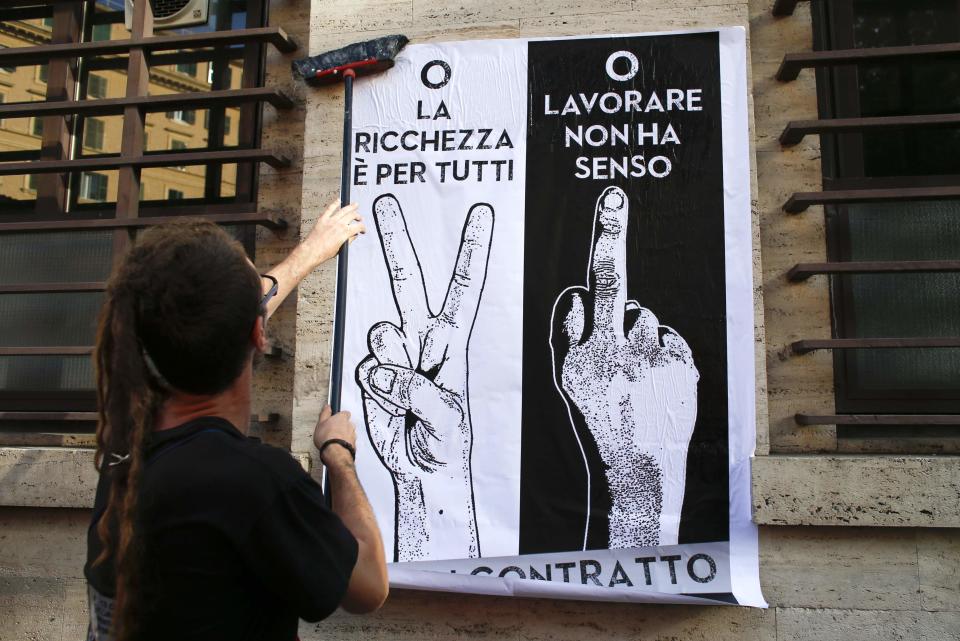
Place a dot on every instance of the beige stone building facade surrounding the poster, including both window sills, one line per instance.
(853, 545)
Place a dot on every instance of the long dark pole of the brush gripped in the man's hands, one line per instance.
(340, 306)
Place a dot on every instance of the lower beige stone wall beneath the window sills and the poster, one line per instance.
(823, 584)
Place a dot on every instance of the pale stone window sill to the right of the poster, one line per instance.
(875, 491)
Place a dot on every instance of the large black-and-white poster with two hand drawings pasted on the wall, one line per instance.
(550, 322)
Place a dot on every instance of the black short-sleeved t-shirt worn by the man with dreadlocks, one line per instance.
(236, 541)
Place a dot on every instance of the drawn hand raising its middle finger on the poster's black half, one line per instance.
(630, 385)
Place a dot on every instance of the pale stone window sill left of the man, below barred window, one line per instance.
(47, 477)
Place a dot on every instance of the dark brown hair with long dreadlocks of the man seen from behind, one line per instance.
(178, 313)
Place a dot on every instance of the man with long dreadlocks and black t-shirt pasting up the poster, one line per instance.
(198, 531)
